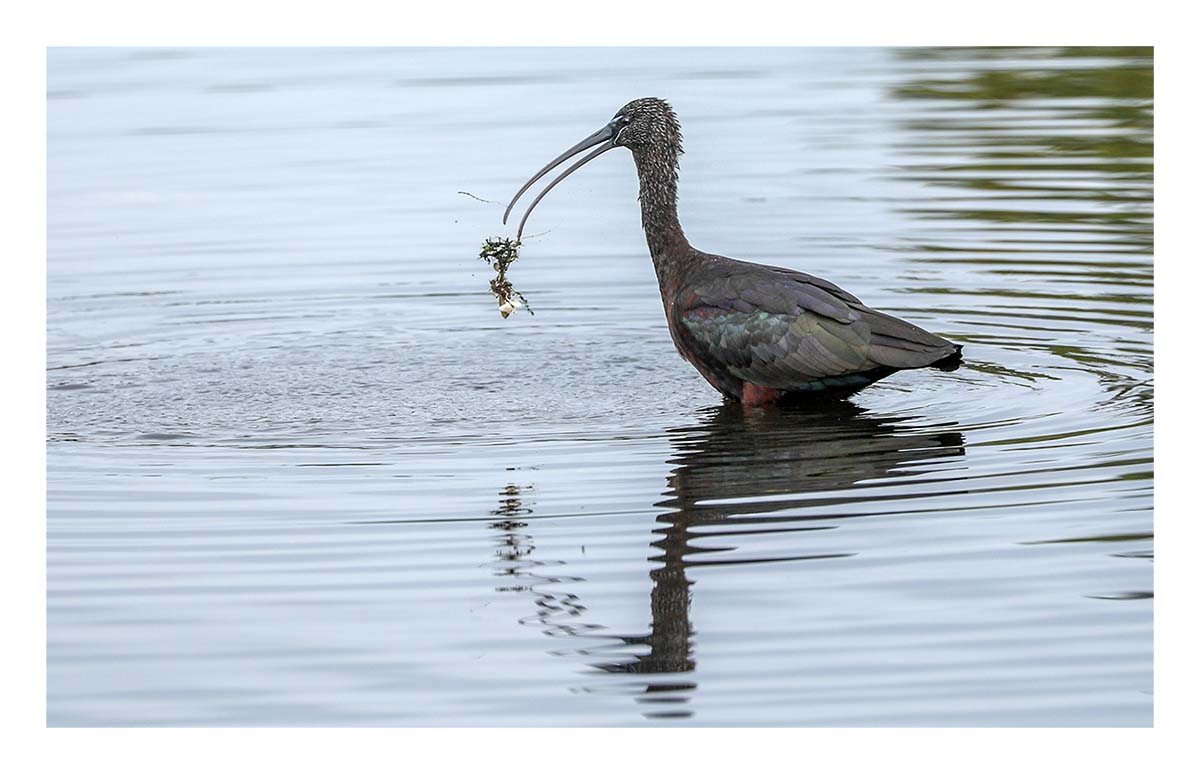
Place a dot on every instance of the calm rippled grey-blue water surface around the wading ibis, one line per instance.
(302, 472)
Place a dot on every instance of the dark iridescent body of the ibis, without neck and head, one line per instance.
(763, 334)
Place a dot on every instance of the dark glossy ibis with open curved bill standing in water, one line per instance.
(758, 334)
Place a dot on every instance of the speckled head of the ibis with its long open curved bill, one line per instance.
(644, 127)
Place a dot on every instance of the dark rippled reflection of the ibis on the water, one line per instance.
(740, 469)
